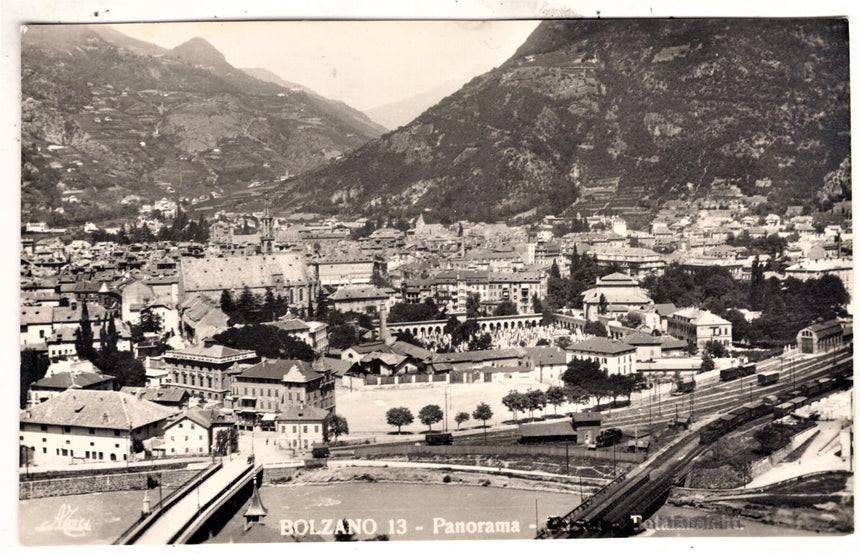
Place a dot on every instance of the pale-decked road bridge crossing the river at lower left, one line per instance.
(192, 512)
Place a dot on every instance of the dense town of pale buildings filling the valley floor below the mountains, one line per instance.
(296, 338)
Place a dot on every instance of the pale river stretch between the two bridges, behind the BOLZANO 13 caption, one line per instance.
(404, 511)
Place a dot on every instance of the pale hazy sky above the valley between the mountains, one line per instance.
(364, 63)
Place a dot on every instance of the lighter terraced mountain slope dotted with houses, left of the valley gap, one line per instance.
(106, 116)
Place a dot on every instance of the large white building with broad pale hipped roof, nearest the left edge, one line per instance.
(79, 426)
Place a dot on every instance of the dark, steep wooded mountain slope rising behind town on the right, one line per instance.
(621, 114)
